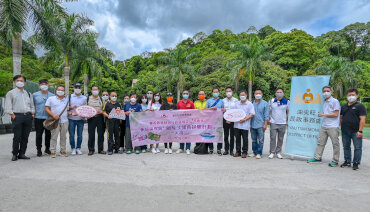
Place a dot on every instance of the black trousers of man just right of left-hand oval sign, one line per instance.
(96, 123)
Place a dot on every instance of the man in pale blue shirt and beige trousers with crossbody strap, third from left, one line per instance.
(56, 107)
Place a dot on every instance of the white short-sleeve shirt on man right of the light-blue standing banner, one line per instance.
(331, 105)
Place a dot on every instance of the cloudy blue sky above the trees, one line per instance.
(130, 27)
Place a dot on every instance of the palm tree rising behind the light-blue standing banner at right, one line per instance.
(341, 71)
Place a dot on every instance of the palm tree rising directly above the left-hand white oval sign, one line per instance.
(88, 59)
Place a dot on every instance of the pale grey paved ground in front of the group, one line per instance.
(148, 182)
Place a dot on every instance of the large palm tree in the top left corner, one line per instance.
(15, 16)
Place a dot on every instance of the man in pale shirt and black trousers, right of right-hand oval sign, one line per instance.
(241, 127)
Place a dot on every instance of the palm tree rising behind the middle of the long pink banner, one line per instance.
(177, 65)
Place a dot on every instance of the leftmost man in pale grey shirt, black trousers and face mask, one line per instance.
(19, 105)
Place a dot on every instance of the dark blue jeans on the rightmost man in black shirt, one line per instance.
(357, 143)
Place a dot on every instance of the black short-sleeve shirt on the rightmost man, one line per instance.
(351, 116)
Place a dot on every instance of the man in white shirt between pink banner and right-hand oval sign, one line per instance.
(229, 103)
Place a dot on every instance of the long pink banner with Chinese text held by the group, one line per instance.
(183, 126)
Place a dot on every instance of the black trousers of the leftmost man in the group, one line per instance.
(22, 126)
